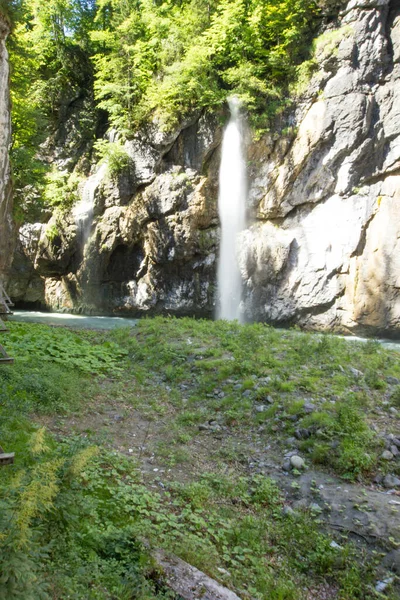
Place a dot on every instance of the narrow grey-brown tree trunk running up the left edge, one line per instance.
(6, 223)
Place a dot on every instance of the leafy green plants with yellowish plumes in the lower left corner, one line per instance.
(59, 533)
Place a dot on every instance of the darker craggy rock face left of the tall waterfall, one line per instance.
(153, 239)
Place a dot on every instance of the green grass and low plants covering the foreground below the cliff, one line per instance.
(198, 385)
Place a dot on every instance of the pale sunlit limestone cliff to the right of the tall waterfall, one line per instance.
(323, 249)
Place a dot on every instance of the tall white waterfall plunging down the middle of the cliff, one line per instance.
(232, 213)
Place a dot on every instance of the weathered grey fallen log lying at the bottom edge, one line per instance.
(189, 582)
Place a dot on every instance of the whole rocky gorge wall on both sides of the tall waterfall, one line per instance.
(323, 246)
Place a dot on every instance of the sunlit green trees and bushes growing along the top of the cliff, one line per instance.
(136, 62)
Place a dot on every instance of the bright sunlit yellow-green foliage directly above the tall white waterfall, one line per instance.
(165, 60)
